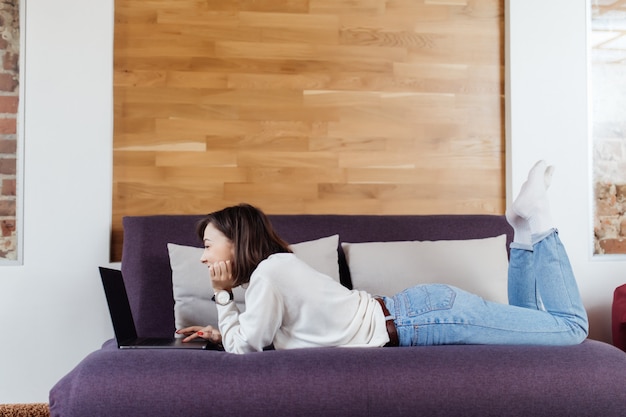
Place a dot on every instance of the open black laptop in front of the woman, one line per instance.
(124, 325)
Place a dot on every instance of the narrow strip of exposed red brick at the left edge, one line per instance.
(9, 98)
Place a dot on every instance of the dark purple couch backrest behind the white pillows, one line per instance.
(148, 276)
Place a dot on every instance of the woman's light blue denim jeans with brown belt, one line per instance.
(544, 307)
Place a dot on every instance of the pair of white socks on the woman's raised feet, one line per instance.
(532, 202)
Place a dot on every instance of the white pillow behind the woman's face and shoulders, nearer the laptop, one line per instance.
(192, 287)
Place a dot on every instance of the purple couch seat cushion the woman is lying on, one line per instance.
(583, 380)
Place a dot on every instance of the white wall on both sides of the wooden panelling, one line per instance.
(52, 310)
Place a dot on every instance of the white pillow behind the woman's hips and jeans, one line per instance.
(479, 266)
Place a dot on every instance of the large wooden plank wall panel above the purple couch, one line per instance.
(308, 106)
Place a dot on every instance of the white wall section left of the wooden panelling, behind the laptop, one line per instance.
(52, 310)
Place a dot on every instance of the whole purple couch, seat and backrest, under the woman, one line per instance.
(584, 380)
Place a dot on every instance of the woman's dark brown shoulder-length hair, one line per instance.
(252, 235)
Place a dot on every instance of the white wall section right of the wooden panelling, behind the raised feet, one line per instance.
(549, 119)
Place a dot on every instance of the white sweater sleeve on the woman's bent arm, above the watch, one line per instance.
(254, 329)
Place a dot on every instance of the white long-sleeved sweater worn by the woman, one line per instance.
(291, 305)
